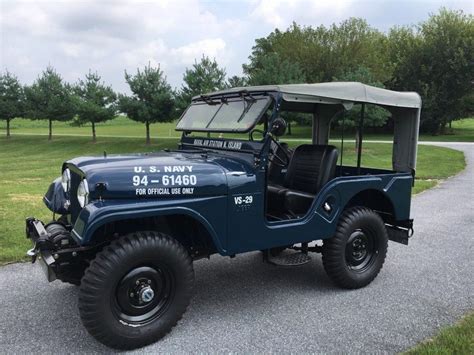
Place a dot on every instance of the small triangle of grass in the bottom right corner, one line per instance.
(457, 339)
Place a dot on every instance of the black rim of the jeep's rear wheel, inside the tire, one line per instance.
(361, 250)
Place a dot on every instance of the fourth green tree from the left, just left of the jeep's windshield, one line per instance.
(151, 100)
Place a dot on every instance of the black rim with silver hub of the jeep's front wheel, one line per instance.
(143, 294)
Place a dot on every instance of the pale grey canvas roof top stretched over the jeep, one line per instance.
(336, 92)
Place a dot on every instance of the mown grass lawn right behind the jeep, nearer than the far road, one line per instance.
(29, 163)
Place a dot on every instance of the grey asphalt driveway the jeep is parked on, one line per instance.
(244, 305)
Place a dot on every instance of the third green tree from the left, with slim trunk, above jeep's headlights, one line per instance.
(96, 102)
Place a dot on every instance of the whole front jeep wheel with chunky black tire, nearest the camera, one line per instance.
(136, 290)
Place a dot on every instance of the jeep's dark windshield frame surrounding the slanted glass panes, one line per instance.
(221, 100)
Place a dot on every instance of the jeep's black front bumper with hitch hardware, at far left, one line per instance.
(36, 231)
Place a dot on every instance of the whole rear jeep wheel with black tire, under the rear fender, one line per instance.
(356, 253)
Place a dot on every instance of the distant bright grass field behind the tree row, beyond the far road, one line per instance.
(462, 130)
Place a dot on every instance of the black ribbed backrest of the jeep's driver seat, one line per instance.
(311, 167)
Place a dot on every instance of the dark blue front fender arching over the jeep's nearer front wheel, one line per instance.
(99, 213)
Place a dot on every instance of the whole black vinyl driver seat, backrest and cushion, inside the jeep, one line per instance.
(310, 168)
